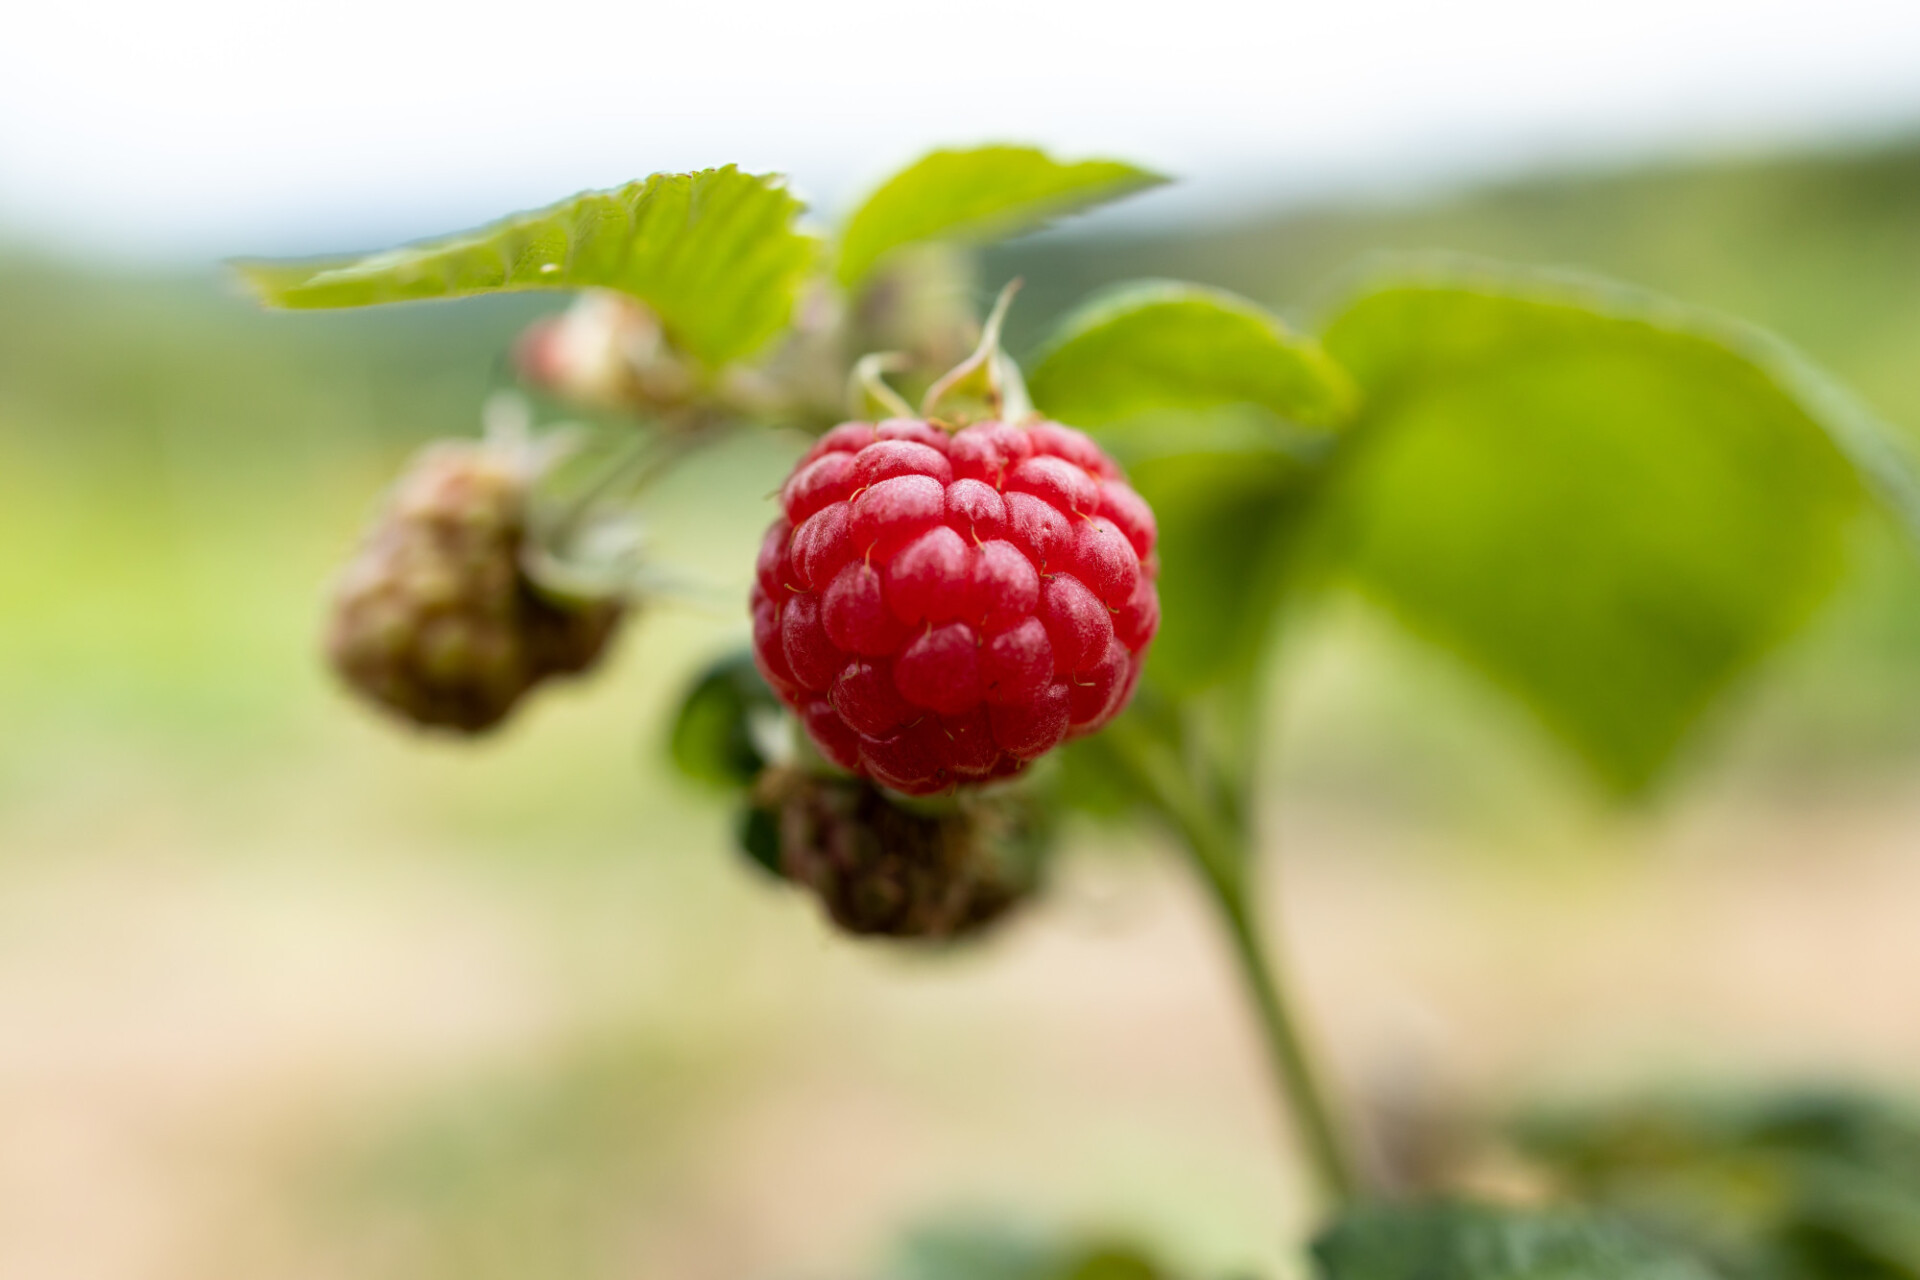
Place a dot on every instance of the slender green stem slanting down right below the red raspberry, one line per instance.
(1224, 859)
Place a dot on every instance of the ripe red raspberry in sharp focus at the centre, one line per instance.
(946, 609)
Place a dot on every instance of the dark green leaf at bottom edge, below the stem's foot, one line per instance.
(1472, 1243)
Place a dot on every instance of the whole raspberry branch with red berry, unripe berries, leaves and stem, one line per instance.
(1604, 502)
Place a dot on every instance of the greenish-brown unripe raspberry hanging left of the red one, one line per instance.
(435, 617)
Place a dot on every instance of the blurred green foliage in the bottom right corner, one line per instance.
(1798, 1187)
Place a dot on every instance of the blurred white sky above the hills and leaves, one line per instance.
(208, 128)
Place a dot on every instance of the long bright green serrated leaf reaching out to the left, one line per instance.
(713, 252)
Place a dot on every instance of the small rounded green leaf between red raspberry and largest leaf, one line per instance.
(1170, 346)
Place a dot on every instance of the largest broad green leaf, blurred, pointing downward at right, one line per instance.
(1608, 504)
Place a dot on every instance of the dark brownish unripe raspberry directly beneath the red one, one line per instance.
(888, 870)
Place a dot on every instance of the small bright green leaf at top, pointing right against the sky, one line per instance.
(978, 195)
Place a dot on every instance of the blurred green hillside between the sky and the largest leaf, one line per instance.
(1821, 249)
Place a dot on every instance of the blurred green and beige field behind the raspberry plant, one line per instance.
(287, 993)
